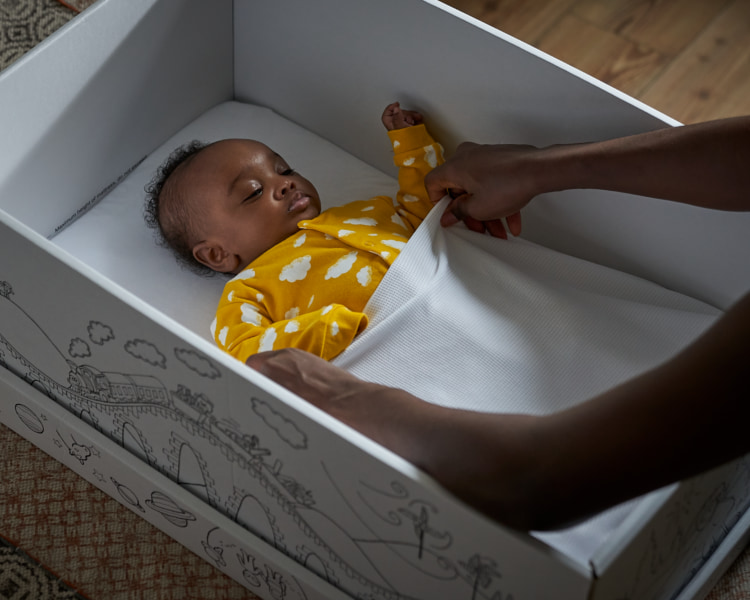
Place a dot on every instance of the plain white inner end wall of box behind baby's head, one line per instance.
(88, 104)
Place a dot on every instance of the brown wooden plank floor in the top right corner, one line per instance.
(687, 58)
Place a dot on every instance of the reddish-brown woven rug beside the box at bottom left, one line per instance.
(87, 538)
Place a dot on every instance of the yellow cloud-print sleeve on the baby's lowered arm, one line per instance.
(242, 328)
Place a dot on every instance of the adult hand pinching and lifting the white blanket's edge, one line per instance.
(487, 183)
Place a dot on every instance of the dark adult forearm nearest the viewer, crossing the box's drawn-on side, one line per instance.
(675, 421)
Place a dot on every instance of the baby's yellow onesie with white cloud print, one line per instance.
(309, 291)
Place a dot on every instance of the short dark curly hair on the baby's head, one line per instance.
(174, 229)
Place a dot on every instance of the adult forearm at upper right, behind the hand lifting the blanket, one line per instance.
(703, 164)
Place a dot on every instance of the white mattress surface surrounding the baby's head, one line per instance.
(113, 238)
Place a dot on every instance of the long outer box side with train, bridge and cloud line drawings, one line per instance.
(328, 498)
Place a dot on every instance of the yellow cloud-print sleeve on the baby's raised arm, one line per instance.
(415, 154)
